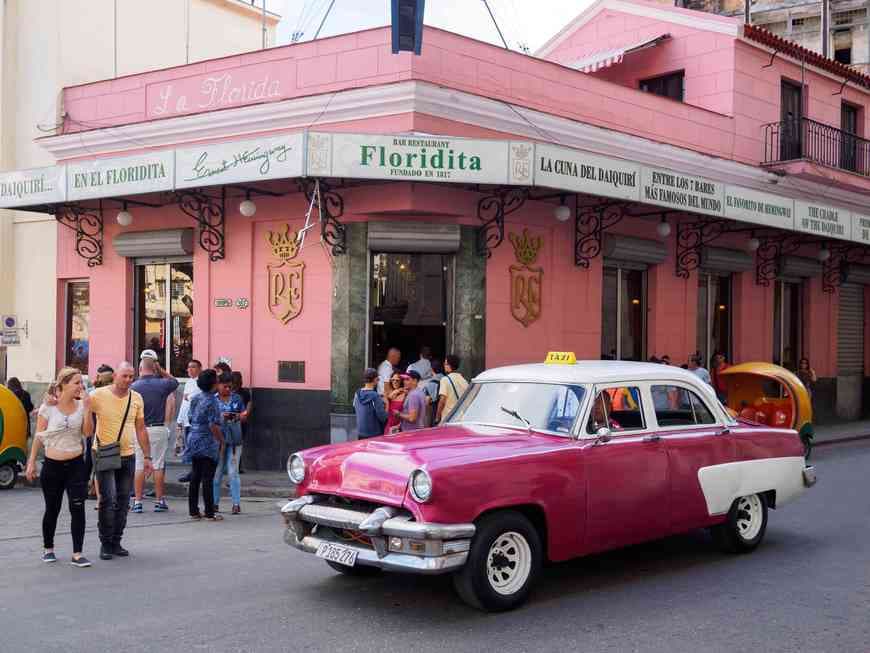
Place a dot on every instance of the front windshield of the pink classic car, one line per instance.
(537, 406)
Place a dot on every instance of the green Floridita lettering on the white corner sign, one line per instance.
(432, 158)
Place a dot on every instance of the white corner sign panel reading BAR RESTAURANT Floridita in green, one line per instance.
(419, 158)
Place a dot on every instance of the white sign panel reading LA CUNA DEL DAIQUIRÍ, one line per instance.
(566, 169)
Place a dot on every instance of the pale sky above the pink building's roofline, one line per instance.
(523, 22)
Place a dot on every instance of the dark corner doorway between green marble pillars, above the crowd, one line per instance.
(410, 300)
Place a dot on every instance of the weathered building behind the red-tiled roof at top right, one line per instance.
(800, 21)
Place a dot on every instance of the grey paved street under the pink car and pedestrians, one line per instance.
(235, 586)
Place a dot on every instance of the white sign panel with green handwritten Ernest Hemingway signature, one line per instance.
(233, 162)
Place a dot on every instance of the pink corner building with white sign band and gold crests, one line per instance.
(656, 181)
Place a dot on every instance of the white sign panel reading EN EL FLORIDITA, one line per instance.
(144, 173)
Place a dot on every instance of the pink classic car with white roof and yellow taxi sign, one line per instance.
(541, 463)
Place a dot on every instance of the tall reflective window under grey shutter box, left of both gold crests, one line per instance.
(164, 313)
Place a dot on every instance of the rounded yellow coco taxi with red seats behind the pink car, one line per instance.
(771, 395)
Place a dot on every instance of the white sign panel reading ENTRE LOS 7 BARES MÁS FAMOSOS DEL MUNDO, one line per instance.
(680, 191)
